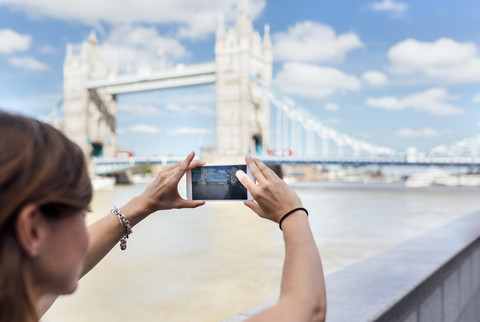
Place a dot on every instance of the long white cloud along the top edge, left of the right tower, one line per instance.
(193, 18)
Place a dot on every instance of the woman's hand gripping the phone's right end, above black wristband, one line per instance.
(273, 198)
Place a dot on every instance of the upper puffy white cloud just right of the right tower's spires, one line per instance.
(309, 41)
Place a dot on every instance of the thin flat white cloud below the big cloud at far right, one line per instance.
(430, 101)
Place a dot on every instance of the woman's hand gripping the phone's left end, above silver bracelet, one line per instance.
(162, 193)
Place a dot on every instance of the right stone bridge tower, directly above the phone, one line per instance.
(243, 112)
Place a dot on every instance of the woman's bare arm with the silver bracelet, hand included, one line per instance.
(161, 194)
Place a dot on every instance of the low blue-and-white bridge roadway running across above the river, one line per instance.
(114, 165)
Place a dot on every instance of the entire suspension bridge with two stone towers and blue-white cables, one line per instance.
(241, 72)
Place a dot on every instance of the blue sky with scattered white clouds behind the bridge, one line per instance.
(395, 73)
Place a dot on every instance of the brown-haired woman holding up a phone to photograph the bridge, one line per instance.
(45, 246)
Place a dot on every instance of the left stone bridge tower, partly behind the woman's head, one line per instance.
(89, 113)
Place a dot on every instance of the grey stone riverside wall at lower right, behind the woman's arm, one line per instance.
(434, 277)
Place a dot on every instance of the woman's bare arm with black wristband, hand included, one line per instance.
(302, 293)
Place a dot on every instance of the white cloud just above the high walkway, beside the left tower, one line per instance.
(127, 44)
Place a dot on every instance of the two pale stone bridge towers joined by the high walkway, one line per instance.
(243, 113)
